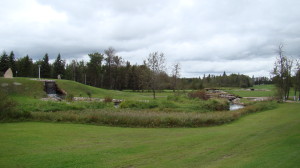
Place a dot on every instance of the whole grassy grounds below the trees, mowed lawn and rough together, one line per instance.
(65, 136)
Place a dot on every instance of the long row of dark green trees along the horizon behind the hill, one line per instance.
(110, 71)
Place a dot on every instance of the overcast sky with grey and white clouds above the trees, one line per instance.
(203, 36)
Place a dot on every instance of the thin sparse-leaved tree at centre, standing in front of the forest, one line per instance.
(156, 63)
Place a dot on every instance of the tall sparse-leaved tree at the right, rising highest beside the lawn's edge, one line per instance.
(282, 72)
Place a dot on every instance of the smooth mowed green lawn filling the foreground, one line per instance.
(265, 139)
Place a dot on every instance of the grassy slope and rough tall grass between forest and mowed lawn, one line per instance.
(167, 111)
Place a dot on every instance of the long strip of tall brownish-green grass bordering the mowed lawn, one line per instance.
(150, 118)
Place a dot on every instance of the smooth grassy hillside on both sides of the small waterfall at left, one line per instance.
(33, 88)
